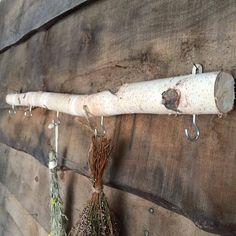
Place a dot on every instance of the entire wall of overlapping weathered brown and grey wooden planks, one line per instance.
(100, 45)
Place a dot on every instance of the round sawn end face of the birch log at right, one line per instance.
(224, 92)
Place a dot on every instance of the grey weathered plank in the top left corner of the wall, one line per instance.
(21, 19)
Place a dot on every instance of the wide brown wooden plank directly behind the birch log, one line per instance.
(132, 41)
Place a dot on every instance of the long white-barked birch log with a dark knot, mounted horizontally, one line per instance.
(207, 93)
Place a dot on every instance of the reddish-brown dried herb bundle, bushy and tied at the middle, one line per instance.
(97, 219)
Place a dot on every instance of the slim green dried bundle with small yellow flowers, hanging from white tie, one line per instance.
(58, 218)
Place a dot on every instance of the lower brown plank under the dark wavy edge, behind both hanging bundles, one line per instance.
(76, 190)
